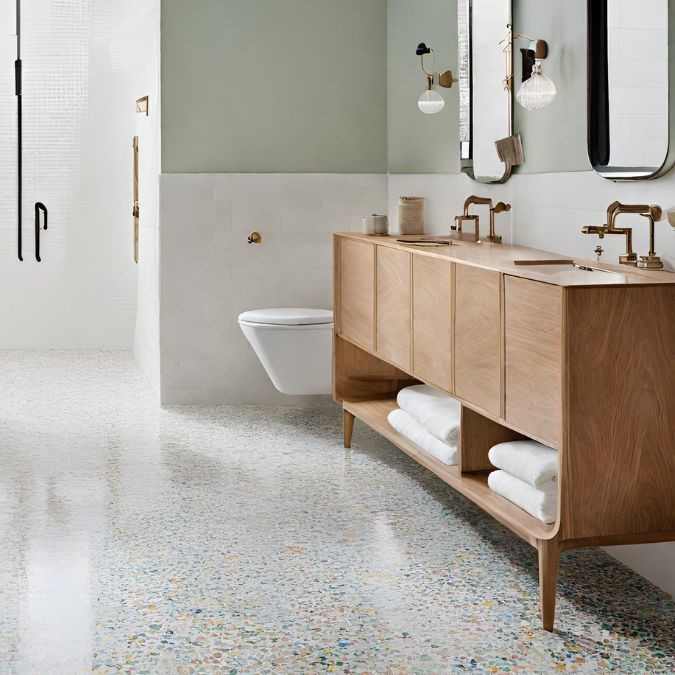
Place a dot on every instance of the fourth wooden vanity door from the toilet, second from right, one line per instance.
(478, 338)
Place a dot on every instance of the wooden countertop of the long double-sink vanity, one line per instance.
(501, 257)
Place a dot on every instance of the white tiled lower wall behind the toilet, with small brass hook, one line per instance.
(210, 274)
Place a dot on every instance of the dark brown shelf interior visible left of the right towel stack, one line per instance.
(477, 435)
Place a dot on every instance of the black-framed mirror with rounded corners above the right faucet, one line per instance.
(630, 85)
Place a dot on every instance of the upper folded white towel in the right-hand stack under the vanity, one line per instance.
(530, 461)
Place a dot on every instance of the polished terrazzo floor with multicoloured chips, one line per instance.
(247, 540)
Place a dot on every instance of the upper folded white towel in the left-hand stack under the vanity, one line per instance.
(437, 412)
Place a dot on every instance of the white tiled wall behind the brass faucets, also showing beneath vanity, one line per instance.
(549, 211)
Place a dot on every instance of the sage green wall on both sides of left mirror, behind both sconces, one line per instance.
(554, 138)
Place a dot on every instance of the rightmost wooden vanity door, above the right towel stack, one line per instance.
(533, 350)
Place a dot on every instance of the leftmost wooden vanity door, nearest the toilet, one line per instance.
(356, 298)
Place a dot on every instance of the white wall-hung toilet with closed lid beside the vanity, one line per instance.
(294, 345)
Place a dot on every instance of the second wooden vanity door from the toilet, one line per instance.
(394, 306)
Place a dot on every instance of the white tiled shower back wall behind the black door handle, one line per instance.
(78, 125)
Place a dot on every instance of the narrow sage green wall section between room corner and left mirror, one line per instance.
(419, 143)
